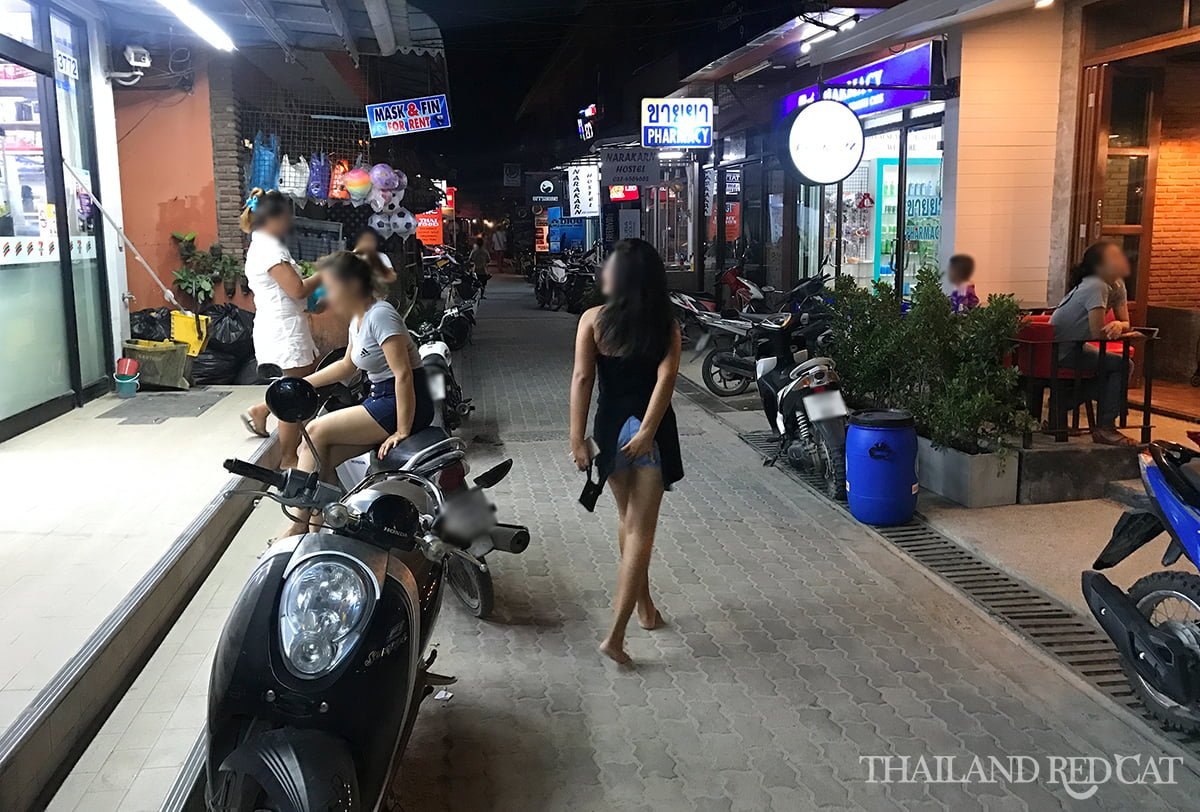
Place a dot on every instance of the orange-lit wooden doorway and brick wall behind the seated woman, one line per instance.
(1138, 140)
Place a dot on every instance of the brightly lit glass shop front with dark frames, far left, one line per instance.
(56, 324)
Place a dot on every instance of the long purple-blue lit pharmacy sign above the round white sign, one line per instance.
(909, 68)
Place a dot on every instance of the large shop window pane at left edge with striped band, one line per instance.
(33, 332)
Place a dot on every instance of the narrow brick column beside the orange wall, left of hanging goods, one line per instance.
(227, 153)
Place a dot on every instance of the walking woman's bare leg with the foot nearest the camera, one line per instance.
(644, 489)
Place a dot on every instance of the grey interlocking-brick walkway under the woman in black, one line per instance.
(797, 645)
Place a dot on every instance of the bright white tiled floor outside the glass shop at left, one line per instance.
(92, 506)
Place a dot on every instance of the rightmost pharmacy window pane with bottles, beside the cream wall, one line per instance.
(922, 203)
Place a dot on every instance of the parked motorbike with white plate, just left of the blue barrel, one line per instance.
(803, 401)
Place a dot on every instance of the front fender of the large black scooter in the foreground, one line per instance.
(299, 772)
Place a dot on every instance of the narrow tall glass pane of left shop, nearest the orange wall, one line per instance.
(75, 131)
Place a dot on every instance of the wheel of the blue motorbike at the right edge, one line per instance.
(1161, 597)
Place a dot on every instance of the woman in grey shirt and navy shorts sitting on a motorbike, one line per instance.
(380, 346)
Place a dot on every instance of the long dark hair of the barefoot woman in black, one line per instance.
(638, 318)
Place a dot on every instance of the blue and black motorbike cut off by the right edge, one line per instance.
(1156, 625)
